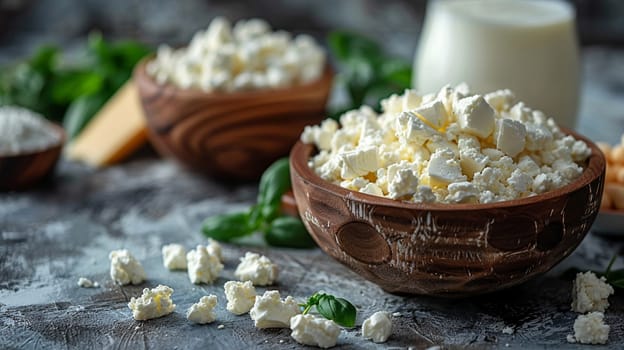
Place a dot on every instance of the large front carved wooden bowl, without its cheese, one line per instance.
(448, 250)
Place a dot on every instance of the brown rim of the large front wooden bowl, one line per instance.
(301, 152)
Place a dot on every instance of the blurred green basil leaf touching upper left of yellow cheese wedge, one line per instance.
(80, 112)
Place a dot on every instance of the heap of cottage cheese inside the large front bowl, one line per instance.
(449, 147)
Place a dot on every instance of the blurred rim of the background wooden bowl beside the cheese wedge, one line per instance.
(140, 72)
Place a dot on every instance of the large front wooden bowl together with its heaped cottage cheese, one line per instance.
(458, 242)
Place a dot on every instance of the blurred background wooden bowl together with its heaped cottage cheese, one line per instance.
(235, 99)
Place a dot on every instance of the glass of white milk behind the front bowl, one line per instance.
(527, 46)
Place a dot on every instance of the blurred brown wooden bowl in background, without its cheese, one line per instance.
(233, 136)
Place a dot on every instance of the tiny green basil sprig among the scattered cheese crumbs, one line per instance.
(332, 308)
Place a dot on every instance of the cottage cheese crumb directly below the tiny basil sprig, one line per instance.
(314, 331)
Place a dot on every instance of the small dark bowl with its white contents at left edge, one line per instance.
(30, 147)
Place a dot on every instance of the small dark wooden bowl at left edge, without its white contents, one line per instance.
(24, 170)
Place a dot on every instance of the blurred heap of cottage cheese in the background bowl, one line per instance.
(247, 56)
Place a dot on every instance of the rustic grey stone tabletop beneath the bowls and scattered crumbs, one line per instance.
(52, 235)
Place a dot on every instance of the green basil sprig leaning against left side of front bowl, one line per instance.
(265, 216)
